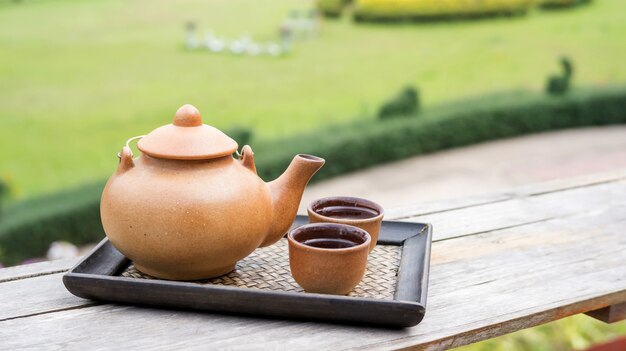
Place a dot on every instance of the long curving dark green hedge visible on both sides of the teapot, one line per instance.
(29, 227)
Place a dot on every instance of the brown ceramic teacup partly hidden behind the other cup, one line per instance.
(354, 211)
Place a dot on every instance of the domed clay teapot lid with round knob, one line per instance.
(187, 139)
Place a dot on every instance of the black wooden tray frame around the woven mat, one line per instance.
(98, 277)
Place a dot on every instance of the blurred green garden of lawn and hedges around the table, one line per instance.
(382, 79)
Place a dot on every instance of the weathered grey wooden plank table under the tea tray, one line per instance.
(500, 263)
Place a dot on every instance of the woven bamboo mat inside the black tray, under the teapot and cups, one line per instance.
(268, 268)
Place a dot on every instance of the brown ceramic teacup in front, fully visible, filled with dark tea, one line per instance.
(328, 258)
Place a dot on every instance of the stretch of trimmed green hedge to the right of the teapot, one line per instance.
(367, 143)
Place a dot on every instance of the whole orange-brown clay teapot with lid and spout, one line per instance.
(186, 209)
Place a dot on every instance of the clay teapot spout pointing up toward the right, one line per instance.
(287, 192)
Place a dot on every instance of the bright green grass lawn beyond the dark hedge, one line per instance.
(79, 78)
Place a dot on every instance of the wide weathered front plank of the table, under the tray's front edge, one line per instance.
(482, 286)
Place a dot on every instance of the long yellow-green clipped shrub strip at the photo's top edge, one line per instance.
(423, 9)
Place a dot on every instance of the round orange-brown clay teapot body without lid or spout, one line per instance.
(186, 219)
